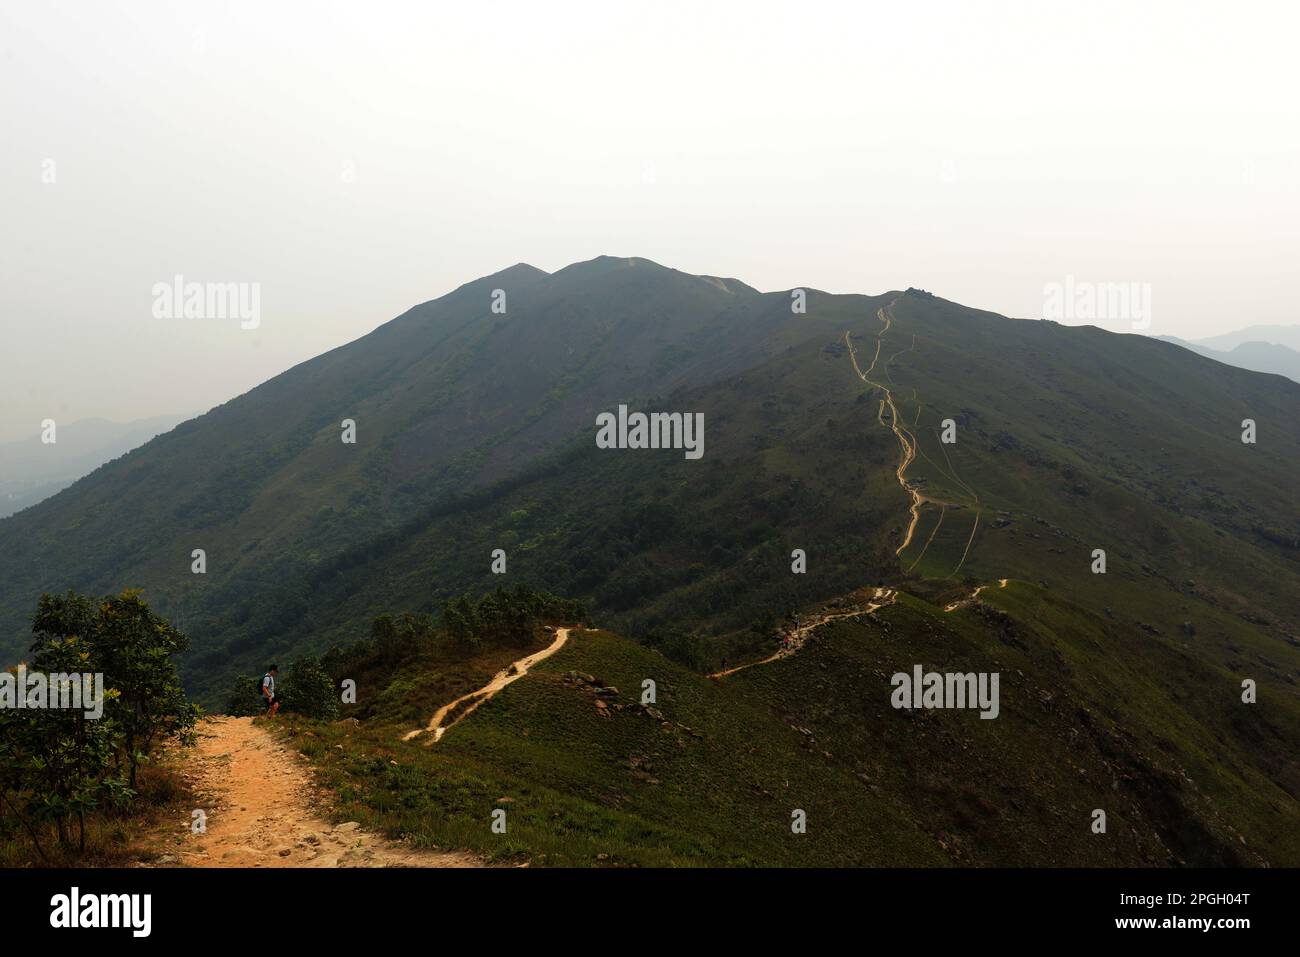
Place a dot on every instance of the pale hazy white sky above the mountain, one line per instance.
(356, 159)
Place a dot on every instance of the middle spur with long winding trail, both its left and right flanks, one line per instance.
(1068, 441)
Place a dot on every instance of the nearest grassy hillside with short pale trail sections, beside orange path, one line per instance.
(712, 773)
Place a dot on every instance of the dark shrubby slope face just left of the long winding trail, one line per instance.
(662, 544)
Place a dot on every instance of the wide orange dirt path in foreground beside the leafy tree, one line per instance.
(259, 803)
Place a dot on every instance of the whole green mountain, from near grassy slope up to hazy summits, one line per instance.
(824, 434)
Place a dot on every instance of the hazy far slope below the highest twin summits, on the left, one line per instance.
(447, 399)
